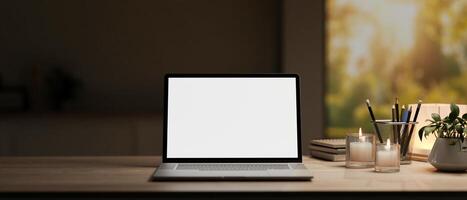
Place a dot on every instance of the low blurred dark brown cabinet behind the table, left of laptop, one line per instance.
(80, 134)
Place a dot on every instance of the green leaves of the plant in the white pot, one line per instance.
(451, 126)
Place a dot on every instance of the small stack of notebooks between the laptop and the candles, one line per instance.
(328, 149)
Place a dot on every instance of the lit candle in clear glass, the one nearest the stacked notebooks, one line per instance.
(360, 150)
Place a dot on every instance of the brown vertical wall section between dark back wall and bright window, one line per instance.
(303, 53)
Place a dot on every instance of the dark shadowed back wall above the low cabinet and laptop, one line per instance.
(120, 49)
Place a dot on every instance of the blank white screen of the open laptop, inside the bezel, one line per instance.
(245, 117)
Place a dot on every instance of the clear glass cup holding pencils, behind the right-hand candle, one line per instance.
(397, 135)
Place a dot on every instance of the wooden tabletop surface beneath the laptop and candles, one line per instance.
(131, 174)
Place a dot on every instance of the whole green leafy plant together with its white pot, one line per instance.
(449, 153)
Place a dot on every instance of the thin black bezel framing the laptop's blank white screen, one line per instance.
(298, 159)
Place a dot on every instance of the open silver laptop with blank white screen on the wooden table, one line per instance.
(232, 127)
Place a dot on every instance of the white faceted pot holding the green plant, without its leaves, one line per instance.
(448, 154)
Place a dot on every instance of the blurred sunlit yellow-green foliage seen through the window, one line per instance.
(372, 54)
